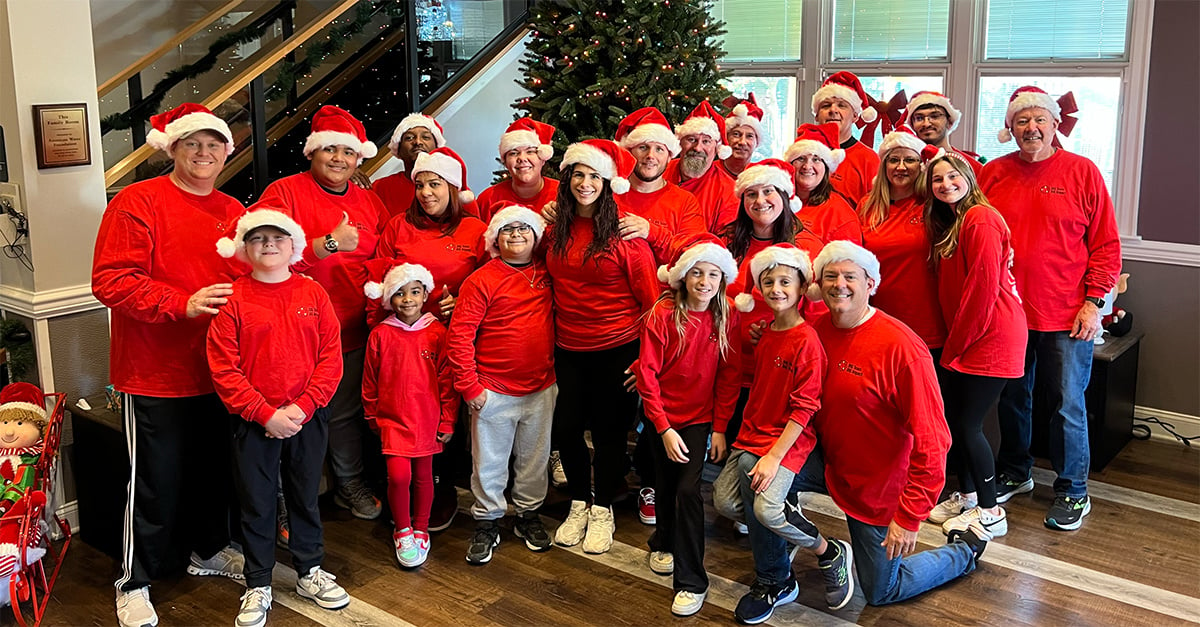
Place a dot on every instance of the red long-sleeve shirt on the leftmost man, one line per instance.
(157, 247)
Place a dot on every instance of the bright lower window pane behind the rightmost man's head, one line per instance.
(1096, 134)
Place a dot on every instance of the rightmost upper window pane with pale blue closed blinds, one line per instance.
(1064, 29)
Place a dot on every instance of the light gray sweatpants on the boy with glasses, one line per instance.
(517, 427)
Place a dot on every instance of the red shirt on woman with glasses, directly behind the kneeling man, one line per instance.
(908, 283)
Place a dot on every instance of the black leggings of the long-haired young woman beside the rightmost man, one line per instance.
(968, 401)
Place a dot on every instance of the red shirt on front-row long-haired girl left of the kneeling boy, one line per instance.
(686, 381)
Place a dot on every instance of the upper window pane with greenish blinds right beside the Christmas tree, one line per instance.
(760, 31)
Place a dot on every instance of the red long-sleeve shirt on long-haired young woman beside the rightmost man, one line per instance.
(979, 296)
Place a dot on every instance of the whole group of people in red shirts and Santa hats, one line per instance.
(831, 321)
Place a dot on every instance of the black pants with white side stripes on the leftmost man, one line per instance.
(181, 488)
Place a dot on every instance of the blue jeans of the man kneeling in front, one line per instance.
(893, 581)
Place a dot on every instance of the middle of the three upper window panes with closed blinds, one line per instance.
(886, 31)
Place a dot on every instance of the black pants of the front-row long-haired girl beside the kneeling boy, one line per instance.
(680, 509)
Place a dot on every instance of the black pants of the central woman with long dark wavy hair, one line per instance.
(592, 396)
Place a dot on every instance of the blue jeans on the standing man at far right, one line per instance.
(1064, 368)
